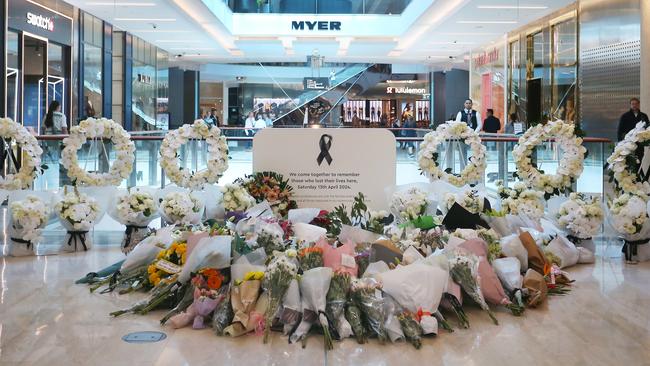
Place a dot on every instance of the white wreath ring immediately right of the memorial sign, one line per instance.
(428, 154)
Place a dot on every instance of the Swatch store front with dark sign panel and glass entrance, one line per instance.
(38, 62)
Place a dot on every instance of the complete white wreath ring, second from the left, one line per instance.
(100, 128)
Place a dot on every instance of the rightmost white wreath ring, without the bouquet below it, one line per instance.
(625, 177)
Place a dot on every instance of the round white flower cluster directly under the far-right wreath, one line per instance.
(629, 213)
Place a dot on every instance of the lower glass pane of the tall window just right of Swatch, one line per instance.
(92, 81)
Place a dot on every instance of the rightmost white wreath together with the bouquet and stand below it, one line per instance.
(628, 211)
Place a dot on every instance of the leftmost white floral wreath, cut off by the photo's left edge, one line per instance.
(31, 162)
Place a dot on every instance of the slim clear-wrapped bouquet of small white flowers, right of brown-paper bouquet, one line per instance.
(279, 274)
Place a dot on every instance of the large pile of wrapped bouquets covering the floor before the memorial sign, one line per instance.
(395, 275)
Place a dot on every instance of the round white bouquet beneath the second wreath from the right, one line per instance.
(582, 216)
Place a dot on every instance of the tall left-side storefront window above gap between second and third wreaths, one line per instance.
(143, 101)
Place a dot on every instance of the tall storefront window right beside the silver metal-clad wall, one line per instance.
(564, 70)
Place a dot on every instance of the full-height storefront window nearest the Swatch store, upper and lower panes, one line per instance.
(92, 65)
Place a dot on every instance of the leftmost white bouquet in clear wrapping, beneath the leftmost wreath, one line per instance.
(29, 213)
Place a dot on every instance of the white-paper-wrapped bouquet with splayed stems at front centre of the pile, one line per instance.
(314, 285)
